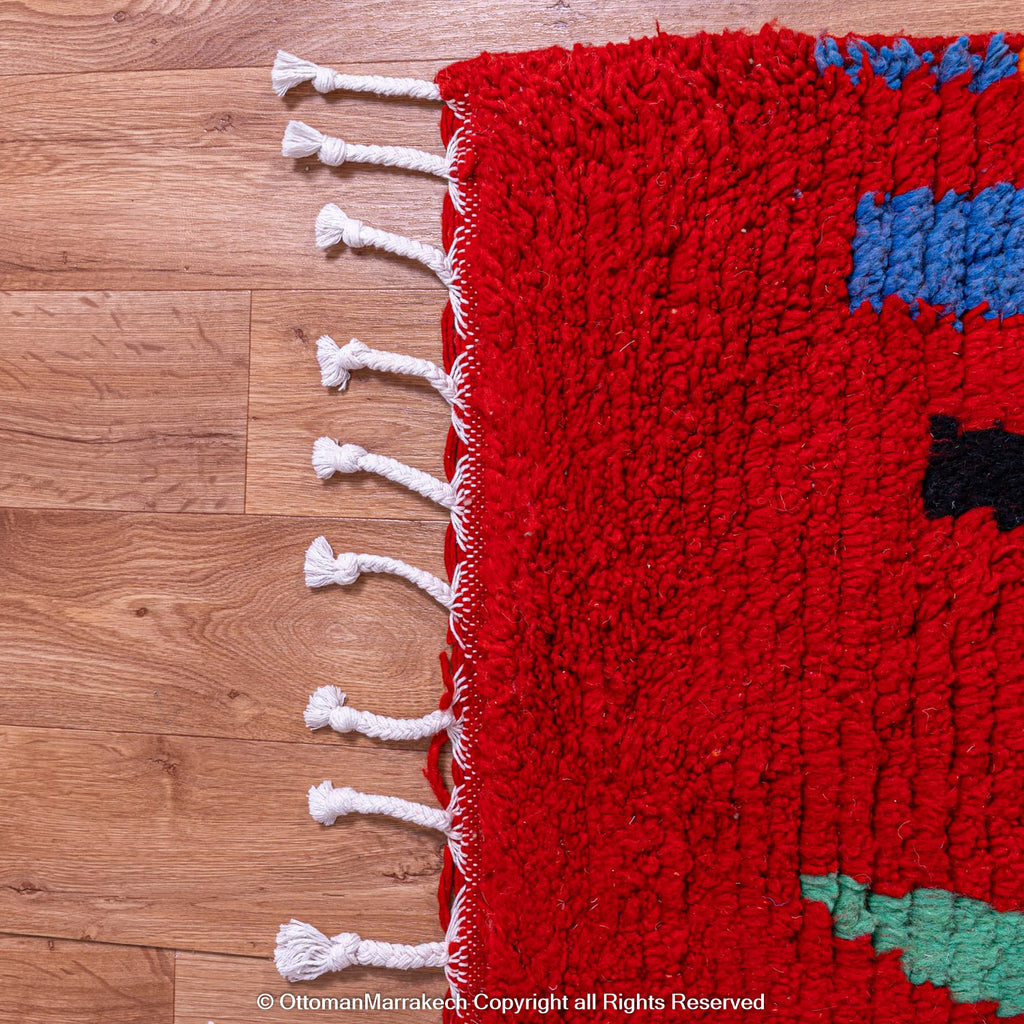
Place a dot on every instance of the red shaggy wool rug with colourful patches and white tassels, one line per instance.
(736, 690)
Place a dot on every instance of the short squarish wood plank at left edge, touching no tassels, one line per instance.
(124, 401)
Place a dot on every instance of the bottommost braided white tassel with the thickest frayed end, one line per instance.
(305, 954)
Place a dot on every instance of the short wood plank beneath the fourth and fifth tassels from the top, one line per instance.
(396, 416)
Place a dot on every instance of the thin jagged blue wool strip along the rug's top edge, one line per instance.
(897, 62)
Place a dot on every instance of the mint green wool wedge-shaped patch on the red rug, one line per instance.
(963, 945)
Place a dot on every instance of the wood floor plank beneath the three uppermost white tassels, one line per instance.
(176, 181)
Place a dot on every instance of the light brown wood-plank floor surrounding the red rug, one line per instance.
(158, 400)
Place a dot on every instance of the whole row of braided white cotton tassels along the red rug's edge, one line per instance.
(304, 953)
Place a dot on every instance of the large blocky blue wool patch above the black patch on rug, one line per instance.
(957, 253)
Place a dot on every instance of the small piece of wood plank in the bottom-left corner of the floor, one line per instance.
(48, 980)
